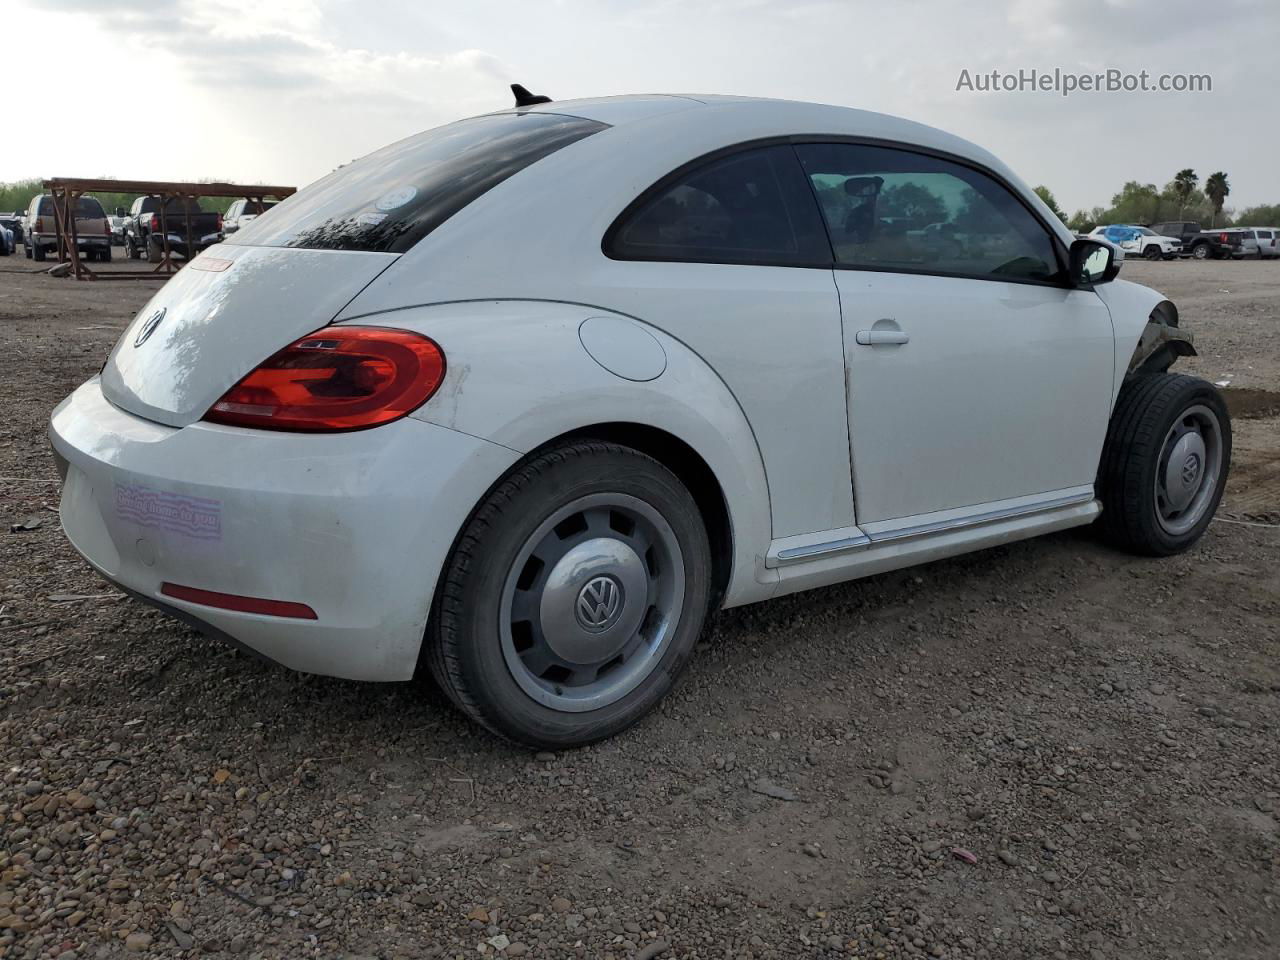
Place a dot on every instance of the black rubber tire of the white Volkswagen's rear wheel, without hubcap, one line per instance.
(464, 643)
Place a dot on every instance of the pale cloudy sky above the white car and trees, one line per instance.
(282, 92)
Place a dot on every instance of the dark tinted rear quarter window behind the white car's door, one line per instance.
(747, 208)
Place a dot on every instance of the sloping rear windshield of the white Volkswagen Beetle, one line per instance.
(390, 200)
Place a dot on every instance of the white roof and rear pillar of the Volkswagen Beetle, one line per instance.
(546, 223)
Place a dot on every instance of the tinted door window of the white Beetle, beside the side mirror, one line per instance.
(893, 209)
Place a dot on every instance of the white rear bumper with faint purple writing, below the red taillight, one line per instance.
(355, 527)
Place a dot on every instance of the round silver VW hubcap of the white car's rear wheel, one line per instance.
(592, 602)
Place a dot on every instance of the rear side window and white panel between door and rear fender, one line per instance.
(729, 255)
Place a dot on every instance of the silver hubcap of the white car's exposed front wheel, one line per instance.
(1191, 464)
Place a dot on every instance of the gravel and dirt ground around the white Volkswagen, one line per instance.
(1099, 732)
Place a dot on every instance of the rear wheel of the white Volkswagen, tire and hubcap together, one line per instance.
(574, 597)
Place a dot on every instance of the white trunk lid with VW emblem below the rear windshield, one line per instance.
(226, 313)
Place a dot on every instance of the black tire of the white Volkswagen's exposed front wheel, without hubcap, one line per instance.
(1149, 409)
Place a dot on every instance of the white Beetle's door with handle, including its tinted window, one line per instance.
(977, 380)
